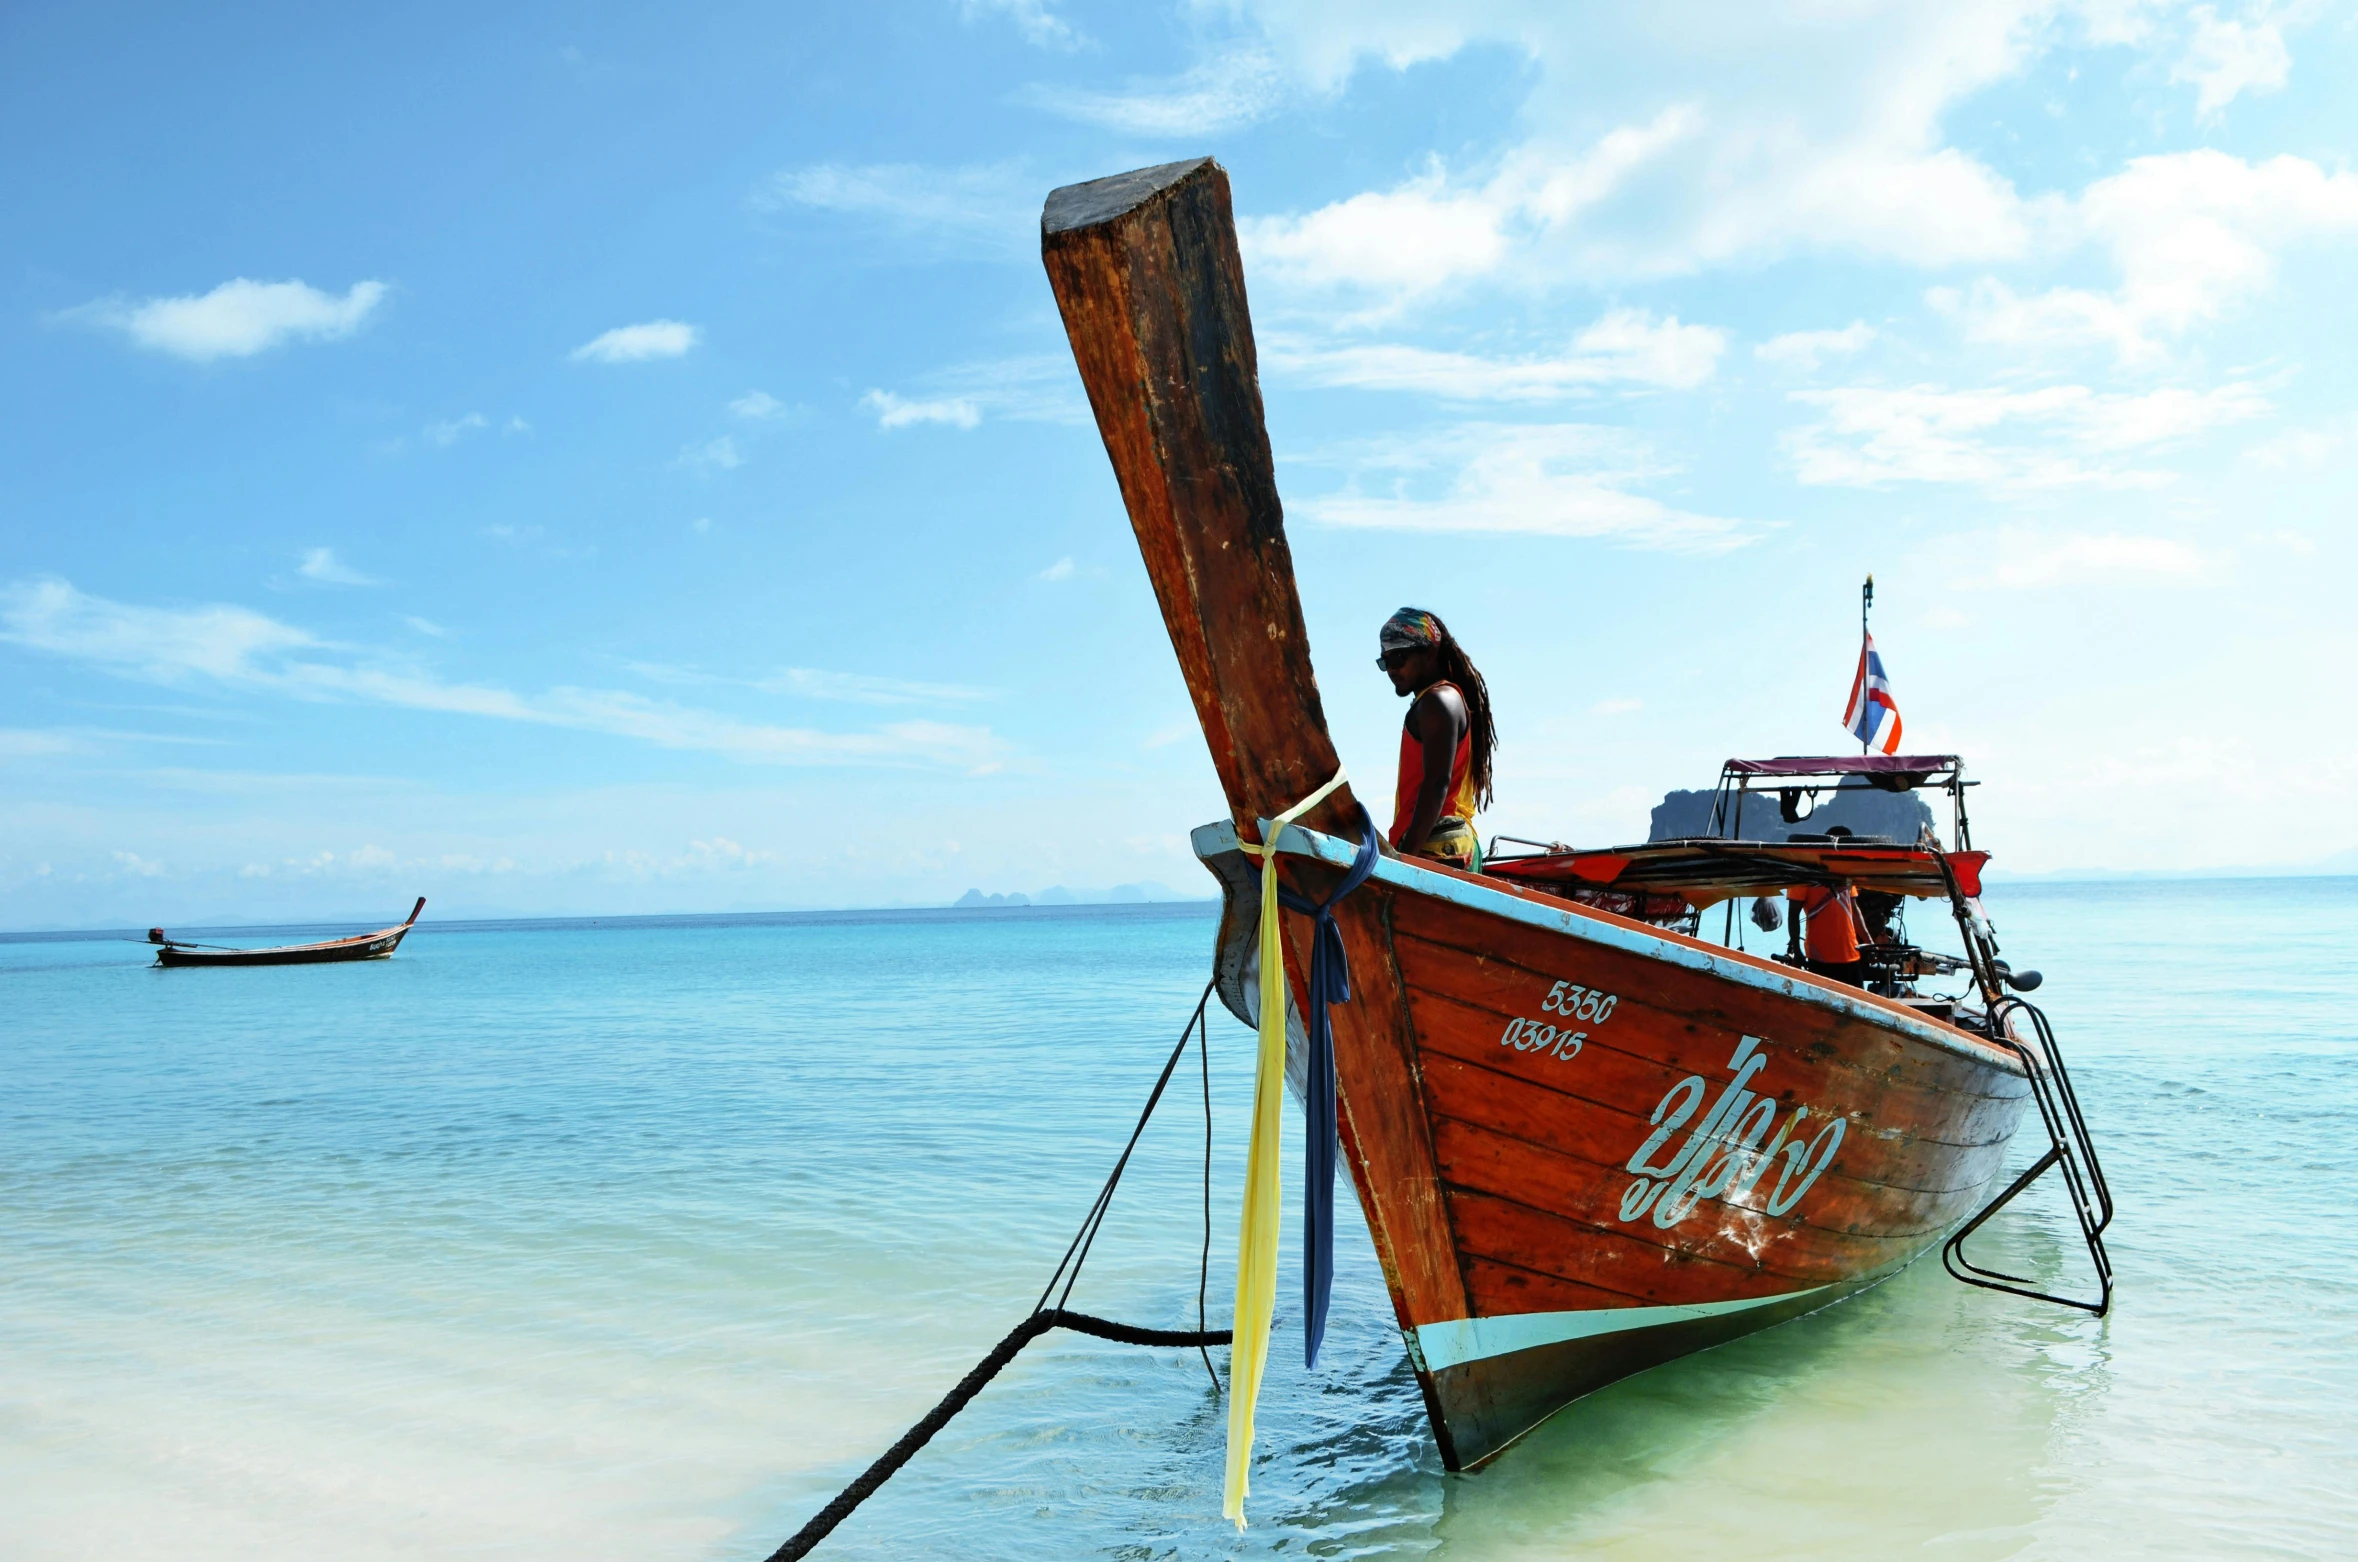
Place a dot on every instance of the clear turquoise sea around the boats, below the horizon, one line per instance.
(635, 1240)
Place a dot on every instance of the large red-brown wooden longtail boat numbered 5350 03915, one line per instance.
(1586, 1138)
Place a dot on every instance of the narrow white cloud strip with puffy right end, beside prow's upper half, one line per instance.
(1623, 348)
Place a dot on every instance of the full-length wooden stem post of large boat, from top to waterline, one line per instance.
(1154, 298)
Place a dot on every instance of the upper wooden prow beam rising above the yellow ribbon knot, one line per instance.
(1154, 296)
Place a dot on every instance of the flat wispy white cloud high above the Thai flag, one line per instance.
(2053, 438)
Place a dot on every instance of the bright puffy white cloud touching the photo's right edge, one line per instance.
(2192, 235)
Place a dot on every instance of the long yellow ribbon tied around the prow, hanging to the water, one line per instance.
(1258, 1228)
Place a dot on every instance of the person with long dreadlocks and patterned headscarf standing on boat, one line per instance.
(1447, 740)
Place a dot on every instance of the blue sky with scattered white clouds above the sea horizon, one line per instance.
(584, 459)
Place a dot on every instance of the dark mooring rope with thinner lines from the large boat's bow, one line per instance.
(1046, 1318)
